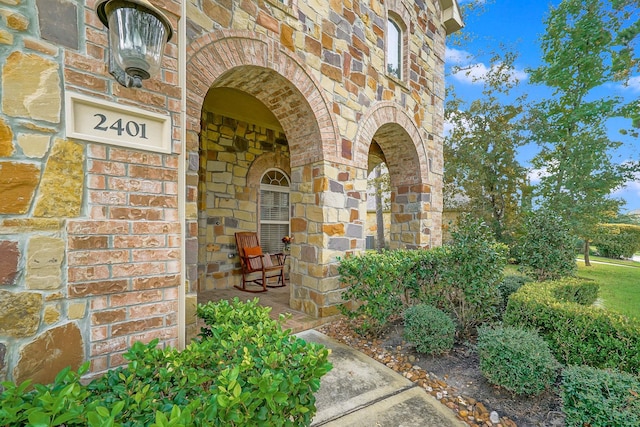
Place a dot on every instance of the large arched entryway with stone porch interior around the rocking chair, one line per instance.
(251, 108)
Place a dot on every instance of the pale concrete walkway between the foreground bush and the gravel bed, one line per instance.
(359, 391)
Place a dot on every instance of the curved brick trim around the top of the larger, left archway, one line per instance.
(313, 135)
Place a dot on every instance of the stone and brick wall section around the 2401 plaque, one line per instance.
(89, 238)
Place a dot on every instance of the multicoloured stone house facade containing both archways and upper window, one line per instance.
(320, 68)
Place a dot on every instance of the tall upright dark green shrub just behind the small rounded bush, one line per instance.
(468, 288)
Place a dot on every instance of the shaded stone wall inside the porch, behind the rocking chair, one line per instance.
(229, 191)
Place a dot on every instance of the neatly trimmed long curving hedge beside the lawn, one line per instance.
(577, 334)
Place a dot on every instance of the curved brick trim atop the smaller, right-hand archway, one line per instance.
(409, 163)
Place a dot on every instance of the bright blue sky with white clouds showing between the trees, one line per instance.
(518, 24)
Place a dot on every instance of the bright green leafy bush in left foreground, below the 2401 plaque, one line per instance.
(245, 371)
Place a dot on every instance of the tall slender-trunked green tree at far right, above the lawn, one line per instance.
(587, 44)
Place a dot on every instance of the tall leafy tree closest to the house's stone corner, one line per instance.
(481, 168)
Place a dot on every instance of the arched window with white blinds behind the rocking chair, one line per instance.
(274, 210)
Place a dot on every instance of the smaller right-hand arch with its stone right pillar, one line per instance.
(406, 157)
